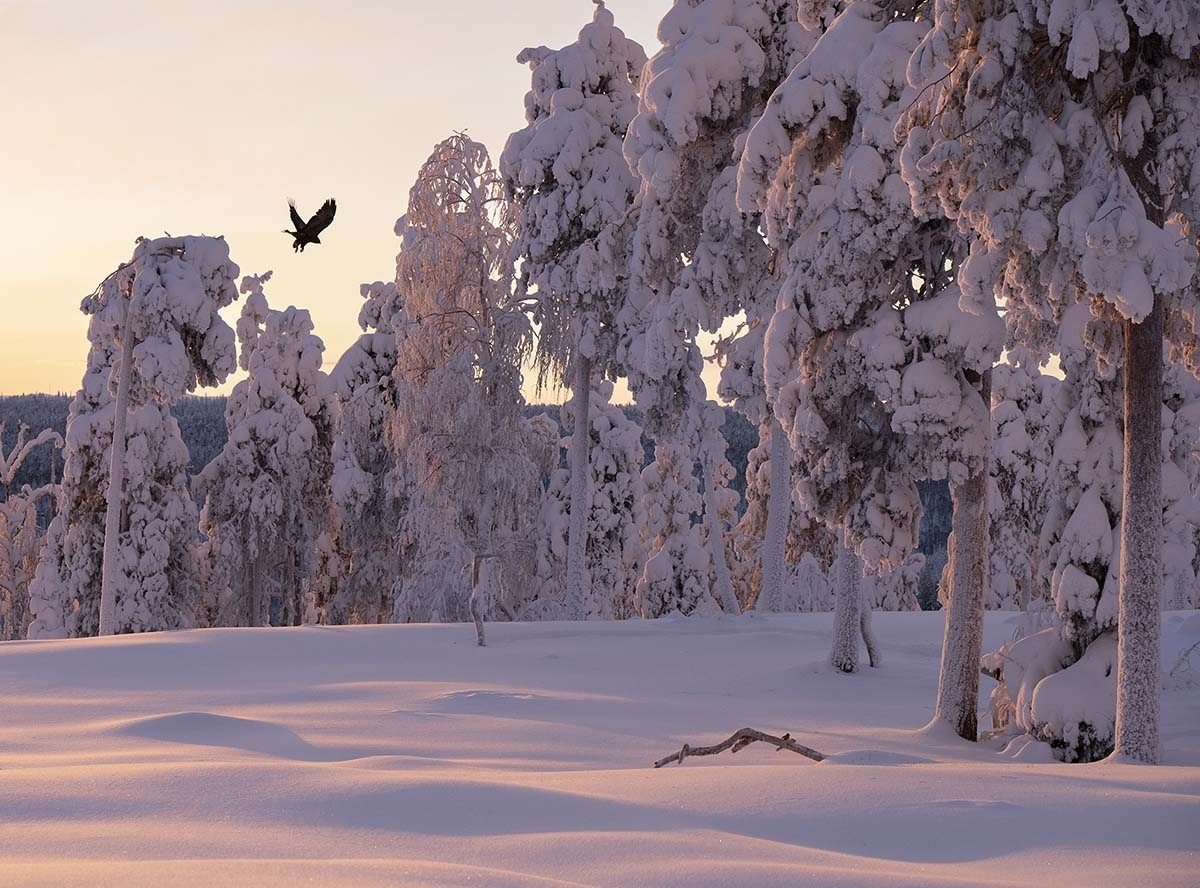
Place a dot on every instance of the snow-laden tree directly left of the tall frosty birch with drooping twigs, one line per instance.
(368, 508)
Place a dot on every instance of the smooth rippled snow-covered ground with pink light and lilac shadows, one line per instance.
(407, 757)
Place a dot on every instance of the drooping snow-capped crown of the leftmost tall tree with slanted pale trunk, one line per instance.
(175, 289)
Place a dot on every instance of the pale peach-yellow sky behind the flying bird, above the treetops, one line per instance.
(129, 117)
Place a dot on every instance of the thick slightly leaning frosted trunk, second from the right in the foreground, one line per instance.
(958, 688)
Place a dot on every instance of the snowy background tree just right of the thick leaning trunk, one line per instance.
(1024, 434)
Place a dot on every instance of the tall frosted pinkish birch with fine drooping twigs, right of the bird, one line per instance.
(463, 447)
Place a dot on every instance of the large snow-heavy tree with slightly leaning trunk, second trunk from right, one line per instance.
(873, 367)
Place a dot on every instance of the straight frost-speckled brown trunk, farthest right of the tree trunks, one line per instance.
(1139, 625)
